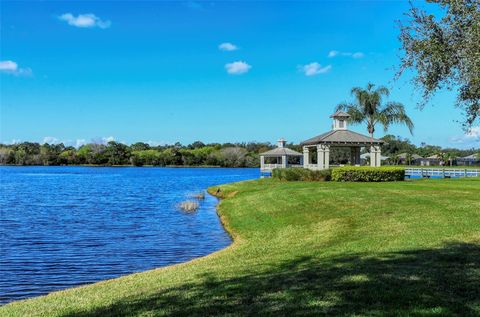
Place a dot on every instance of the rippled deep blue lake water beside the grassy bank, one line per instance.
(66, 226)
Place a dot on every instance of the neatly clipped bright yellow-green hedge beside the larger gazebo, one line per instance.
(368, 174)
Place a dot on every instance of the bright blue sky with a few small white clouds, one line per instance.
(158, 72)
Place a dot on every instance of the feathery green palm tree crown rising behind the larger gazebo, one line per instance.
(368, 108)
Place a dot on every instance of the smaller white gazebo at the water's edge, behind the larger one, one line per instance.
(278, 158)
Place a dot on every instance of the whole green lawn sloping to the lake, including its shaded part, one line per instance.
(358, 249)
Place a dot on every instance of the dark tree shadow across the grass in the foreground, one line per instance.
(433, 282)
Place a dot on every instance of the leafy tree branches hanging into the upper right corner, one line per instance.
(445, 52)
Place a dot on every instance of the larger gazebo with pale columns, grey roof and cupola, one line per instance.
(340, 136)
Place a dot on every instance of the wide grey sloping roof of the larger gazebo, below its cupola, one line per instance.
(340, 137)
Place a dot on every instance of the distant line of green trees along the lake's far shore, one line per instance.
(195, 154)
